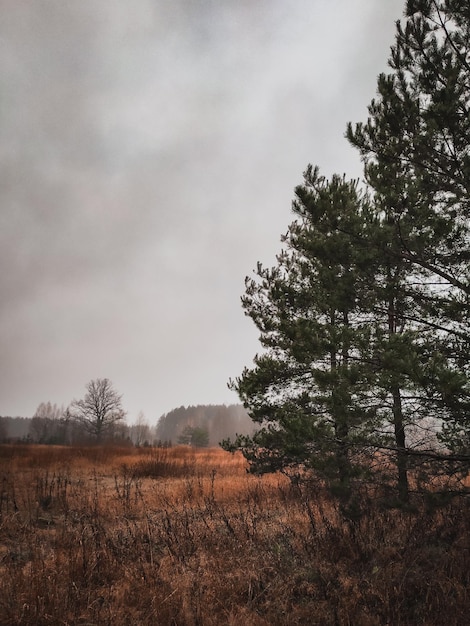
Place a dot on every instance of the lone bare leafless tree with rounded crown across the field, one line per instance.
(100, 410)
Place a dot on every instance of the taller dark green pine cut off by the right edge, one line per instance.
(415, 146)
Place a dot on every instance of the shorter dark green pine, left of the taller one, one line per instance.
(310, 388)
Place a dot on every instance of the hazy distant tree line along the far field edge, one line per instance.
(99, 418)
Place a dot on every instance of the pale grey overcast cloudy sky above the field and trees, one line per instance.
(148, 156)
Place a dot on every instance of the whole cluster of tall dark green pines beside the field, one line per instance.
(364, 320)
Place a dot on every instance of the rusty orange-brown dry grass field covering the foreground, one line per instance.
(184, 537)
